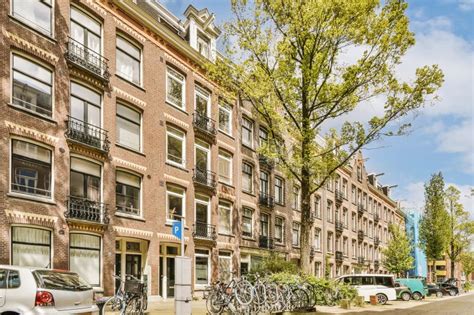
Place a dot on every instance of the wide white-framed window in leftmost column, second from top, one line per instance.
(32, 86)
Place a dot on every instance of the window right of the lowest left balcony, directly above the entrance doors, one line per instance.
(127, 193)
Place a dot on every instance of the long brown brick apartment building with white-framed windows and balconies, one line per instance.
(109, 130)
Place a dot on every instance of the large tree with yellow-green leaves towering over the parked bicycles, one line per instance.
(302, 64)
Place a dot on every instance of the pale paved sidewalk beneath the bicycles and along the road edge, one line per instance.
(199, 307)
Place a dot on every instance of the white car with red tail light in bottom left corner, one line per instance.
(28, 290)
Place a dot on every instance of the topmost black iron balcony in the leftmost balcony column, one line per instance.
(88, 60)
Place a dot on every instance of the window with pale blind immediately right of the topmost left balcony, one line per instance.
(128, 59)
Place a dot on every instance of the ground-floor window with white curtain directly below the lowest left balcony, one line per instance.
(84, 252)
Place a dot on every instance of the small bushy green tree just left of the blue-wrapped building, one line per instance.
(398, 254)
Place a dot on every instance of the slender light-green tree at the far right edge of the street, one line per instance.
(461, 228)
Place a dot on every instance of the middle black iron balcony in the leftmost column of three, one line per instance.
(87, 134)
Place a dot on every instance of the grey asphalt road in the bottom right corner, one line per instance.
(463, 305)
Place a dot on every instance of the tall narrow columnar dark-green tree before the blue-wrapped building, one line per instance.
(434, 224)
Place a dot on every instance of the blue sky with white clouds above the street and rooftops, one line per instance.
(442, 134)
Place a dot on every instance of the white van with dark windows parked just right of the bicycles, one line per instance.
(382, 286)
